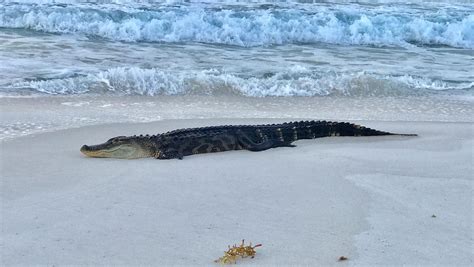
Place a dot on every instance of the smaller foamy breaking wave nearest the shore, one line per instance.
(297, 81)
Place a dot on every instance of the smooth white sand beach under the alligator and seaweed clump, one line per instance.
(370, 199)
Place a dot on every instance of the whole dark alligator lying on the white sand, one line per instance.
(183, 142)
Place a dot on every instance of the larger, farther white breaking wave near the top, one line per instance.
(249, 27)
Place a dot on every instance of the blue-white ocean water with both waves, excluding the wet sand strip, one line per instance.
(245, 48)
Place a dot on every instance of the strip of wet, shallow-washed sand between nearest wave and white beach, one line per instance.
(25, 116)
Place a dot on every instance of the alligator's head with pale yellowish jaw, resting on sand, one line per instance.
(122, 147)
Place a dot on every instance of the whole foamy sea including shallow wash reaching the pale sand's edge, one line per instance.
(67, 64)
